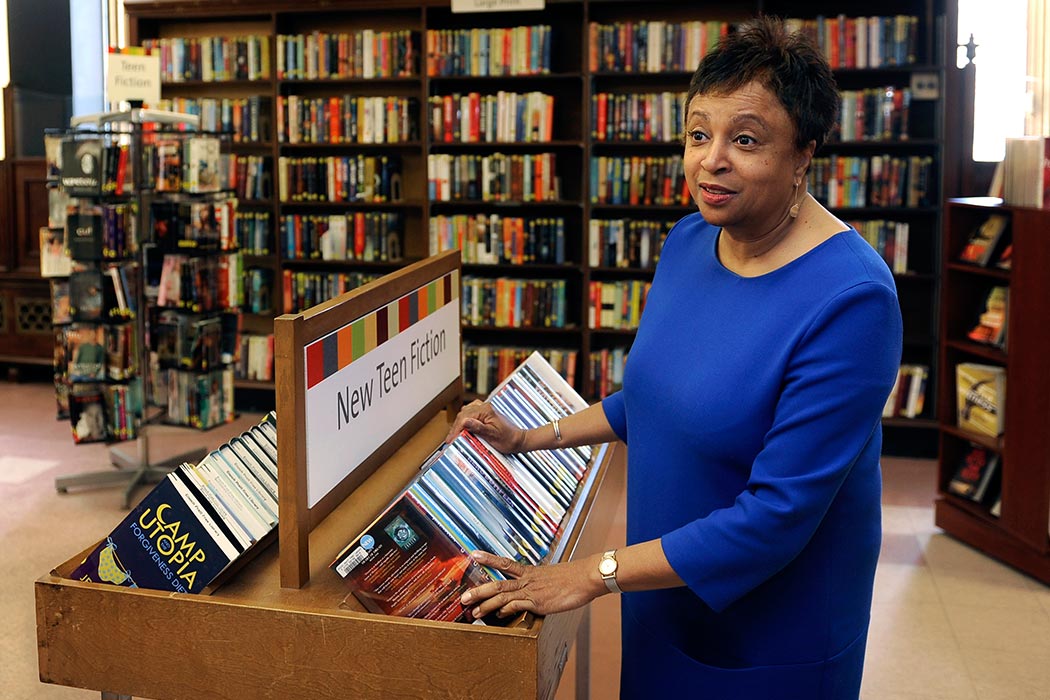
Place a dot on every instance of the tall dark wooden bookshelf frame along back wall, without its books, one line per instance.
(576, 82)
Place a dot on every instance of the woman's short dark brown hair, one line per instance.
(787, 63)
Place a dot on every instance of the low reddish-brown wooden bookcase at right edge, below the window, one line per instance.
(1019, 536)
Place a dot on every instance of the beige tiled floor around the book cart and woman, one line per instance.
(949, 624)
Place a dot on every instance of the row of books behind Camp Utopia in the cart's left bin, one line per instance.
(197, 522)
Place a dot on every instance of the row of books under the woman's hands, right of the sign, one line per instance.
(414, 560)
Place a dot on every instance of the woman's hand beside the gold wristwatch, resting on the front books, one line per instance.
(541, 590)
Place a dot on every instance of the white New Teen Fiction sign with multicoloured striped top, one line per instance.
(367, 378)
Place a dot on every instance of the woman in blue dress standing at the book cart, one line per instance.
(751, 408)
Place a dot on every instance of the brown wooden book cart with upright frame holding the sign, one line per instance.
(284, 626)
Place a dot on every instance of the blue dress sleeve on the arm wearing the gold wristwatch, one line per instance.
(834, 391)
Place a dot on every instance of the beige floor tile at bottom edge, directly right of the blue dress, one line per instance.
(905, 666)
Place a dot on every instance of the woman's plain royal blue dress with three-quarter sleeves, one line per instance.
(752, 412)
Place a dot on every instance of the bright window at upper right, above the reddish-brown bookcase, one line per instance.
(1001, 97)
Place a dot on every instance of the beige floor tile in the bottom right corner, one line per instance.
(1018, 674)
